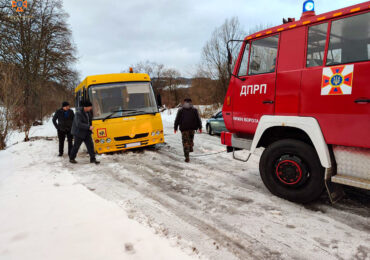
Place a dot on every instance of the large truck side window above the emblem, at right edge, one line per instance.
(349, 40)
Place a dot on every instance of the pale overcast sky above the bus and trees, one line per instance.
(112, 35)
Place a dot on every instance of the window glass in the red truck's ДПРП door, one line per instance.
(263, 55)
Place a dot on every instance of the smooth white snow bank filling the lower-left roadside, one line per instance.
(45, 214)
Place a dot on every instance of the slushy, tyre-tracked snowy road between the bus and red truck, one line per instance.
(218, 207)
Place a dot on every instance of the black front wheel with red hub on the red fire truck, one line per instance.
(292, 170)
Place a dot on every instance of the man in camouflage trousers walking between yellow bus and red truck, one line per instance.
(189, 121)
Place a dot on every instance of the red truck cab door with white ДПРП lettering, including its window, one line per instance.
(254, 92)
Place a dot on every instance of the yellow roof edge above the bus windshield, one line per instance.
(112, 78)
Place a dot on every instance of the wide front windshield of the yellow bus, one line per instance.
(125, 98)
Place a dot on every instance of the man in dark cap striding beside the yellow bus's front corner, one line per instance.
(82, 130)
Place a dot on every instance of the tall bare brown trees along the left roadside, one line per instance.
(36, 64)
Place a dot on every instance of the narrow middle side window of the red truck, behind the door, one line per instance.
(316, 45)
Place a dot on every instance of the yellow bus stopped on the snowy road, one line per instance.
(125, 112)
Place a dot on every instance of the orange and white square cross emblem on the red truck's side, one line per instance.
(337, 80)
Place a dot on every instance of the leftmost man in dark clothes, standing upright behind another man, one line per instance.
(62, 120)
